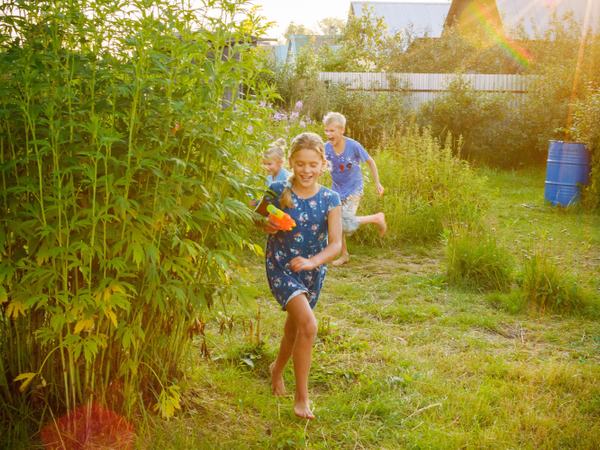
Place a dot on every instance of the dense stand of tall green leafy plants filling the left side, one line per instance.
(125, 137)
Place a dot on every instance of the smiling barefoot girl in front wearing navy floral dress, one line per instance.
(295, 260)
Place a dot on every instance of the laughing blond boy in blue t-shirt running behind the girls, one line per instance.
(345, 156)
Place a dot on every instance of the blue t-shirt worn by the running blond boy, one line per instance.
(345, 167)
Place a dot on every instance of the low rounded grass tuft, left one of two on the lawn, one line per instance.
(474, 260)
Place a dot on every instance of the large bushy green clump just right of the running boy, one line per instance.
(427, 189)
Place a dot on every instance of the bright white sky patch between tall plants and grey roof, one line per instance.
(304, 12)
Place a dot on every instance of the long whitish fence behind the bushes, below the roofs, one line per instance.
(422, 87)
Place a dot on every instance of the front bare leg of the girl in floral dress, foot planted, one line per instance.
(306, 330)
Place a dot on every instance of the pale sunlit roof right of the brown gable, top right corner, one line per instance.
(535, 15)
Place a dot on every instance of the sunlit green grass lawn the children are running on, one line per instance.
(404, 361)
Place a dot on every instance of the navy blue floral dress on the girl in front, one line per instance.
(308, 238)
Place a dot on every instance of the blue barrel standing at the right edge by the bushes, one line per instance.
(567, 168)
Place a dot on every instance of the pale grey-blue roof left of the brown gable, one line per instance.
(422, 19)
